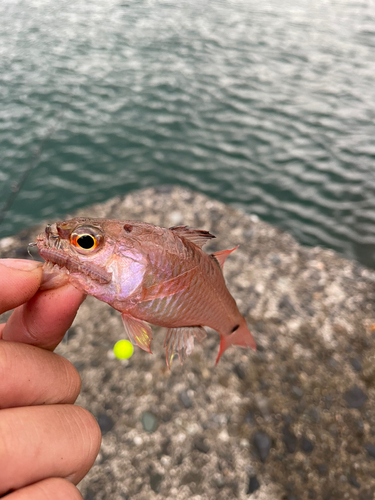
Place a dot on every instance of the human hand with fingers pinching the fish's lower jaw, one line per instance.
(47, 444)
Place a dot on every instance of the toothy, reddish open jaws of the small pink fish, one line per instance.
(54, 251)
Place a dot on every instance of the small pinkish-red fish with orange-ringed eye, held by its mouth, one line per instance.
(151, 275)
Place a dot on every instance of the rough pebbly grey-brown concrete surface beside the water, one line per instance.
(295, 420)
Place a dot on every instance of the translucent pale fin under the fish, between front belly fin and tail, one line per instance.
(181, 341)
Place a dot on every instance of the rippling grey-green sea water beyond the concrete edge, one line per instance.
(267, 105)
